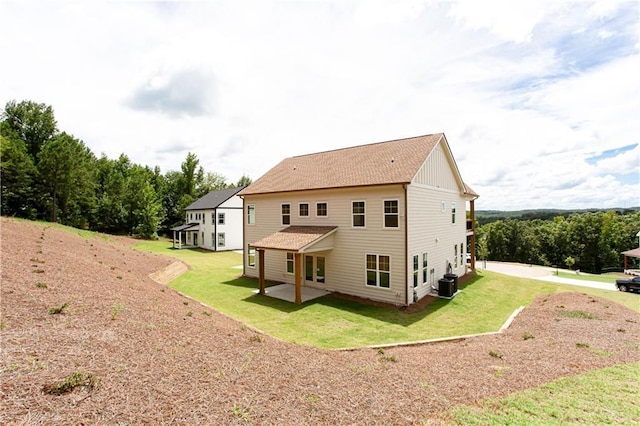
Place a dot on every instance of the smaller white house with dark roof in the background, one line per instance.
(213, 222)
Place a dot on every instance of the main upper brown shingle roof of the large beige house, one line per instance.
(381, 163)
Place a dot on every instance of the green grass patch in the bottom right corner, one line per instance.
(606, 396)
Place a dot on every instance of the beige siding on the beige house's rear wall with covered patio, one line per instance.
(345, 264)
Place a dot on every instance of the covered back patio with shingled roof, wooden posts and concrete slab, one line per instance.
(297, 240)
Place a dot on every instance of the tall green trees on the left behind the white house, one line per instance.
(46, 174)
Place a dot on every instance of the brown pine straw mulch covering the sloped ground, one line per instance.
(138, 352)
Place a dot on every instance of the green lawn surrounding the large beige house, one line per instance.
(331, 322)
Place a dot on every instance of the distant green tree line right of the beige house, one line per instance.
(590, 241)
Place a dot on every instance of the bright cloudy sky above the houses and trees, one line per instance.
(539, 100)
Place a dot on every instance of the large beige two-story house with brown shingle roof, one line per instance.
(384, 221)
